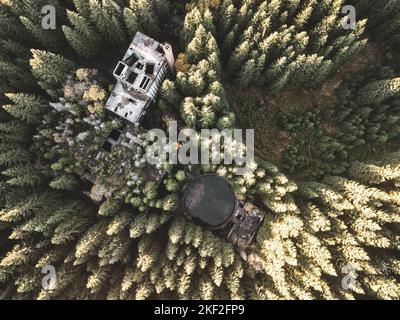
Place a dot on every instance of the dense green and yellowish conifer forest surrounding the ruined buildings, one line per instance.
(324, 102)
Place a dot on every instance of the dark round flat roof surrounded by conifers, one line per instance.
(210, 200)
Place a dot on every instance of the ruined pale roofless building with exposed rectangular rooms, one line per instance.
(139, 74)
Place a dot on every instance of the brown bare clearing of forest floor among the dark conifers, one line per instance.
(260, 111)
